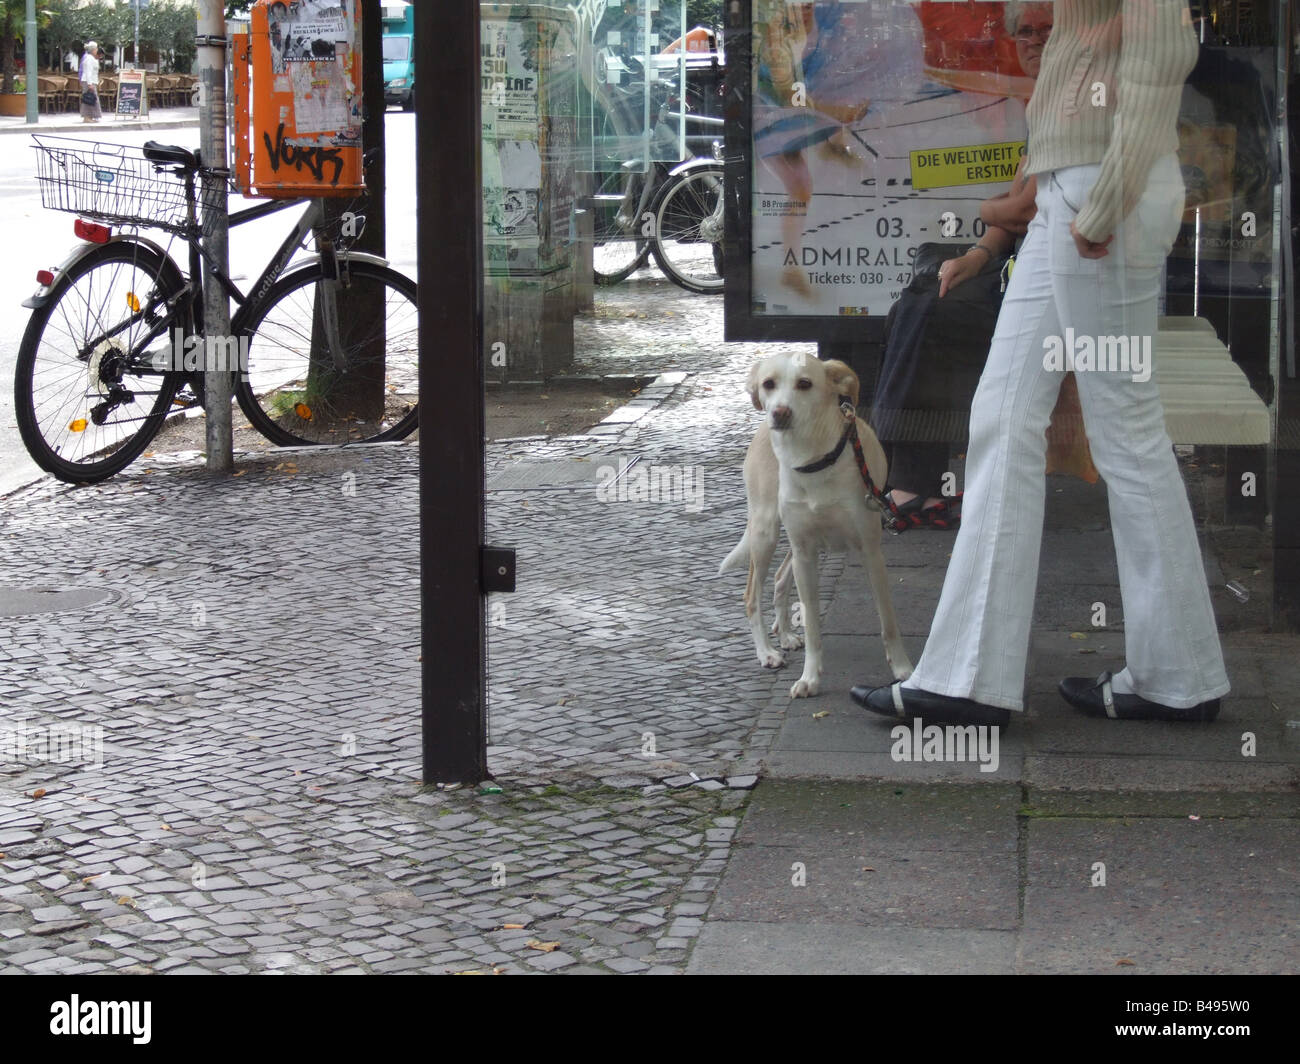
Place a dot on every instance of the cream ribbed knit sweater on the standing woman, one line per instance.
(1110, 93)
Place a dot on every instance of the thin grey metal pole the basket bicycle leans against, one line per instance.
(216, 306)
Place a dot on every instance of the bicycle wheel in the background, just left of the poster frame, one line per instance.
(688, 224)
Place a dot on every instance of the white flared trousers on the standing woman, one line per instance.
(980, 641)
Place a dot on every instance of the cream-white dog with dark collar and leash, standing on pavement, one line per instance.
(824, 507)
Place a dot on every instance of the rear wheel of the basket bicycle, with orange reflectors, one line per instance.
(86, 406)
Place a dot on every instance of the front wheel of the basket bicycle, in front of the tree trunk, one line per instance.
(297, 388)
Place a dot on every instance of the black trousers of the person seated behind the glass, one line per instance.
(934, 354)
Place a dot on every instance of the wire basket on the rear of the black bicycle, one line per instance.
(116, 184)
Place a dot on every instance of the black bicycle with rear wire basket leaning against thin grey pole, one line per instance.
(326, 351)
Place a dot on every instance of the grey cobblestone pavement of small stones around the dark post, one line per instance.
(249, 703)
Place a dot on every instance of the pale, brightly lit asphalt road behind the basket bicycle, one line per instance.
(37, 239)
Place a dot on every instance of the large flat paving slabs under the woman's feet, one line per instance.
(1073, 846)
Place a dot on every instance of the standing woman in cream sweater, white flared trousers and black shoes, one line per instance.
(1110, 205)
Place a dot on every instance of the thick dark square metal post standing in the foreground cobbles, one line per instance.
(449, 226)
